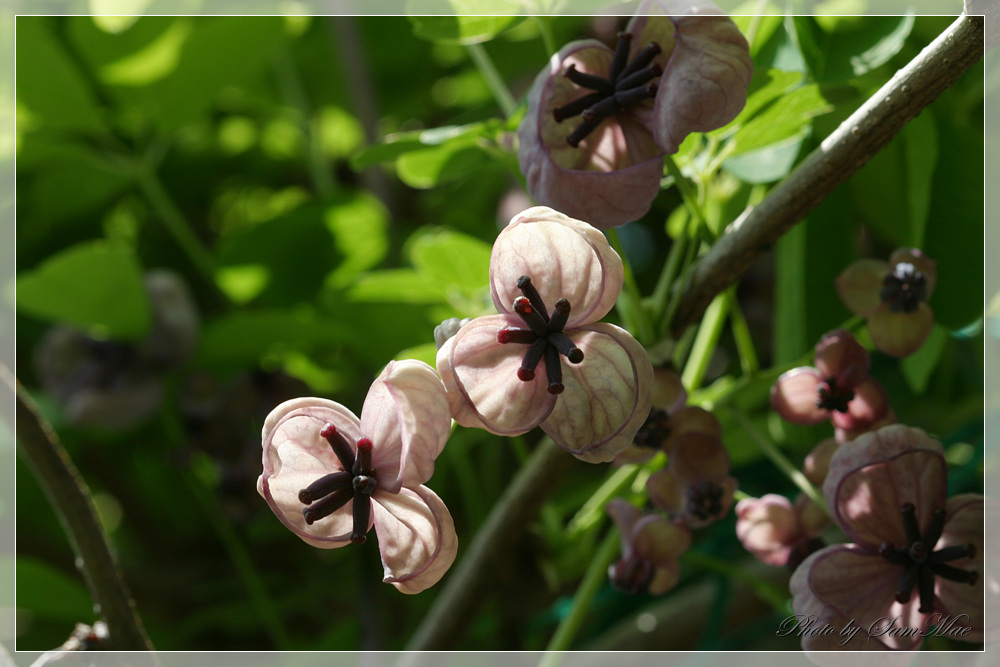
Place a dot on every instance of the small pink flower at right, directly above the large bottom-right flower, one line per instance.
(837, 388)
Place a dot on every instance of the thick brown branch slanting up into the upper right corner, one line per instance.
(846, 150)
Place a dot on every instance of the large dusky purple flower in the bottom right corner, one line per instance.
(917, 555)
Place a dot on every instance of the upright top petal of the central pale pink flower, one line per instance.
(565, 259)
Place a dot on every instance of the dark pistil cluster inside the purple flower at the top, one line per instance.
(627, 84)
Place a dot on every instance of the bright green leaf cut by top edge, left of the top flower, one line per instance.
(461, 21)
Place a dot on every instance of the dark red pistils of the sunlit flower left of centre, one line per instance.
(331, 492)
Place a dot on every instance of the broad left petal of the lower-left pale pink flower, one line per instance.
(295, 455)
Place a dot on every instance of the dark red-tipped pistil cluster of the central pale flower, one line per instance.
(544, 336)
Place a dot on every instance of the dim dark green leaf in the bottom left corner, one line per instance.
(47, 592)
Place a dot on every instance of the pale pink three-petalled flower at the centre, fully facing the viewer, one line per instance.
(545, 360)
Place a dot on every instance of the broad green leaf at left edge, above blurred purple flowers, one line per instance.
(97, 286)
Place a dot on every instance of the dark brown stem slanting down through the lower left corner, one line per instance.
(69, 495)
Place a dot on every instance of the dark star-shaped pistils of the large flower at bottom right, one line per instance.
(920, 564)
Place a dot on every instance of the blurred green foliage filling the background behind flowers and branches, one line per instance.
(329, 189)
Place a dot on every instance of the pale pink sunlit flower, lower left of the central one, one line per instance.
(330, 476)
